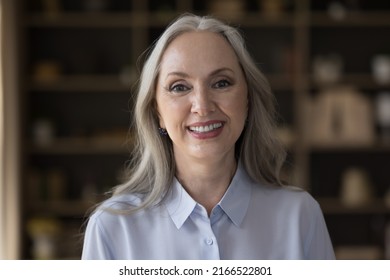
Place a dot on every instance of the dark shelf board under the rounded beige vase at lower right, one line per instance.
(334, 206)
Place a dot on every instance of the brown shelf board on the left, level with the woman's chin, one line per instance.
(82, 146)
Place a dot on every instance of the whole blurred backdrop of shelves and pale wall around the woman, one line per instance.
(66, 87)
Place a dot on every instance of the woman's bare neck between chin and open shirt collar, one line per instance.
(206, 181)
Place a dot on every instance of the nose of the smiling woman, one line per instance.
(202, 102)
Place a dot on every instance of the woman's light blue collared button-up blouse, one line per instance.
(252, 221)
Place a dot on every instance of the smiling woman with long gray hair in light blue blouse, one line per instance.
(204, 181)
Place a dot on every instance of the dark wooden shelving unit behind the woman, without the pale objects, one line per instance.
(87, 99)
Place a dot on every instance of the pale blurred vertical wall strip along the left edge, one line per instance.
(9, 156)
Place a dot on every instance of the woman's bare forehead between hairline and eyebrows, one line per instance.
(199, 46)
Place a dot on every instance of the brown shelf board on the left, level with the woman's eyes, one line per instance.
(93, 83)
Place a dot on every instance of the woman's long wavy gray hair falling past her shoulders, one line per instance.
(152, 166)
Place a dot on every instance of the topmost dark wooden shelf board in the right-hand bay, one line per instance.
(352, 19)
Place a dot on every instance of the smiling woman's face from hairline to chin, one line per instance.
(201, 96)
